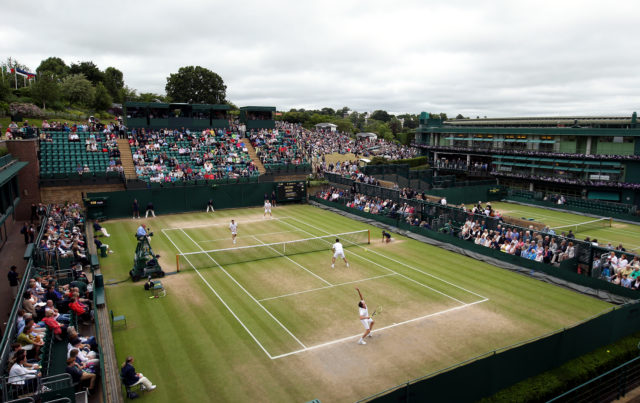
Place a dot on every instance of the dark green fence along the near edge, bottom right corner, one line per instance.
(491, 372)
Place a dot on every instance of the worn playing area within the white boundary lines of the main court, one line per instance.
(291, 283)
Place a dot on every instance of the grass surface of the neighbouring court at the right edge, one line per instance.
(619, 232)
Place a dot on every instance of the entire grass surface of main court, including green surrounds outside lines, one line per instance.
(285, 328)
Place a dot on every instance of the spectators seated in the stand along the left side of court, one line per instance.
(51, 310)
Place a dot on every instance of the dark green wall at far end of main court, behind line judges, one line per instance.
(180, 199)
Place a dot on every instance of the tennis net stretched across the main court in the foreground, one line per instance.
(241, 254)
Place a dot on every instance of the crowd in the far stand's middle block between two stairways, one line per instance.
(173, 155)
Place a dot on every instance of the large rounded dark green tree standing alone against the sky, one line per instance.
(195, 84)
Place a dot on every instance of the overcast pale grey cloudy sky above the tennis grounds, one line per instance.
(487, 58)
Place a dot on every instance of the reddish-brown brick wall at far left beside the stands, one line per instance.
(28, 177)
